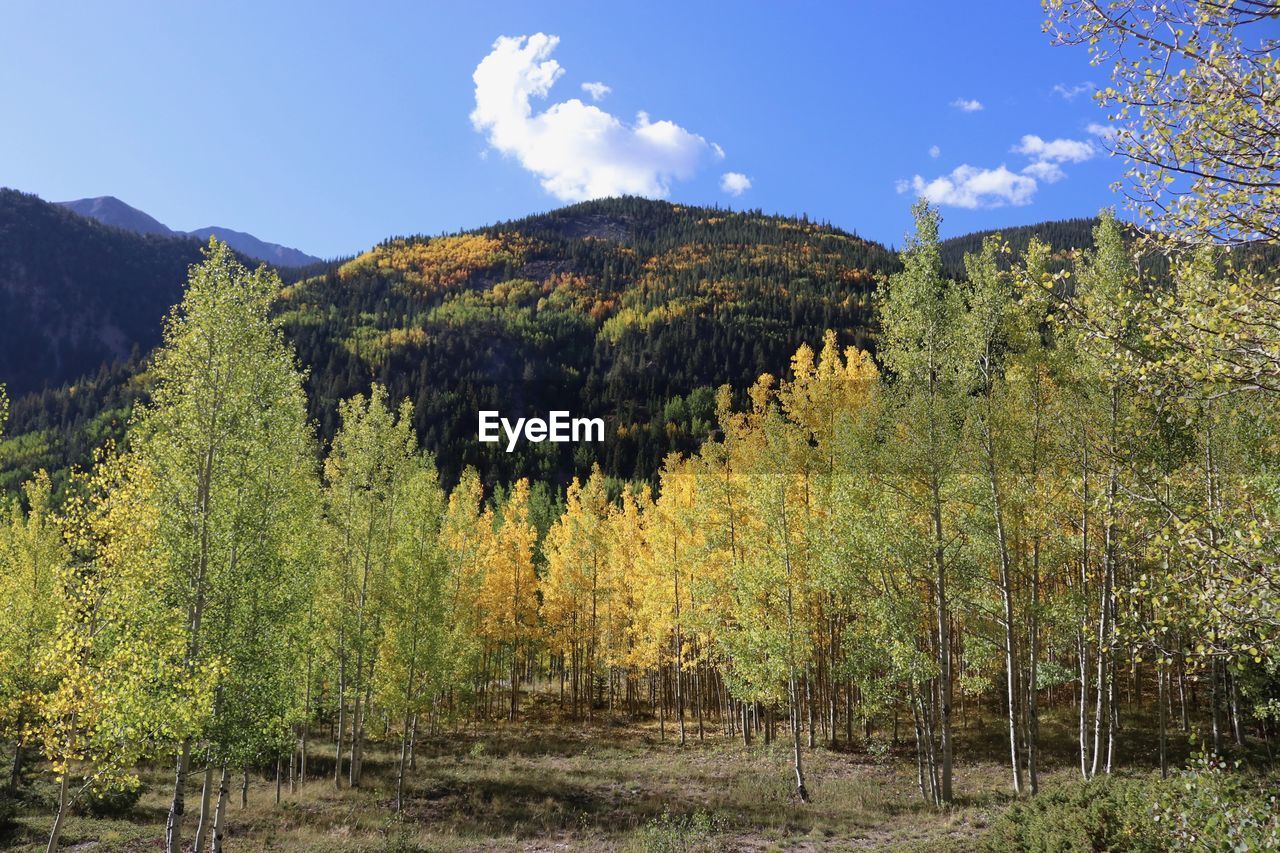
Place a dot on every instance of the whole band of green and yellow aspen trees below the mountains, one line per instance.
(1025, 501)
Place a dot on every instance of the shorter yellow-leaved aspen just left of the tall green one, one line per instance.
(122, 685)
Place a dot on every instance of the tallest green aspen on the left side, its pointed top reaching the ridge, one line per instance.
(228, 453)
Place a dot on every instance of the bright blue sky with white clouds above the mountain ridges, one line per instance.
(330, 127)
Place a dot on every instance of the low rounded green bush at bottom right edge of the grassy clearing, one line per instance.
(1104, 814)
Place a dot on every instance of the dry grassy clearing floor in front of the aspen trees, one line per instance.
(604, 787)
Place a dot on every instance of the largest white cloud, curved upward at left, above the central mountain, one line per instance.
(578, 150)
